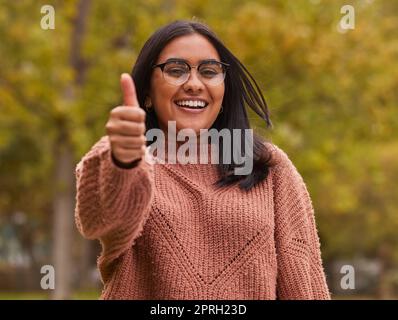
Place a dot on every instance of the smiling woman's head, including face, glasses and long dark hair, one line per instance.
(225, 92)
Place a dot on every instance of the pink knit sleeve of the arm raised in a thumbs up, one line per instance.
(112, 203)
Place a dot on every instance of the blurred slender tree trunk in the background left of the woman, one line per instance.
(64, 199)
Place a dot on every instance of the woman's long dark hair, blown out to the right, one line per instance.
(240, 89)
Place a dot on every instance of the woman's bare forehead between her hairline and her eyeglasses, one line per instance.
(193, 48)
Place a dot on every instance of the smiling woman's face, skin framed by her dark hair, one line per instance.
(165, 96)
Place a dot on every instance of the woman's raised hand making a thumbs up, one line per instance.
(126, 125)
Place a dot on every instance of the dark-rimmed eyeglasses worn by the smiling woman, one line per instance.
(177, 71)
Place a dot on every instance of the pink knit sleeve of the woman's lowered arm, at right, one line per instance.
(300, 271)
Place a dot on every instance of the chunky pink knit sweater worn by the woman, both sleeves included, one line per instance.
(167, 233)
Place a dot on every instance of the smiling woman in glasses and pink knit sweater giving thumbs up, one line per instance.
(195, 231)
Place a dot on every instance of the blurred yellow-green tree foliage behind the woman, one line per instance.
(332, 97)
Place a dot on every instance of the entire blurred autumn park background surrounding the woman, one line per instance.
(332, 94)
